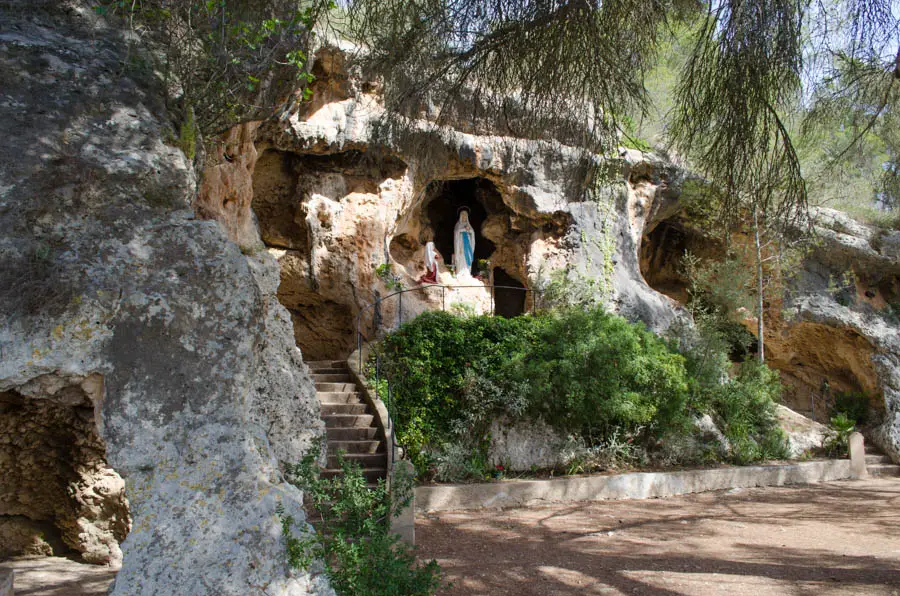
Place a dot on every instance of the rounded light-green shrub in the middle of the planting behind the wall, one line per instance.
(589, 372)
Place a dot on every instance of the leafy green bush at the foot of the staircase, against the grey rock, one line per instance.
(361, 556)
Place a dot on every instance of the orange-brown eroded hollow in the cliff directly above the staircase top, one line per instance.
(300, 202)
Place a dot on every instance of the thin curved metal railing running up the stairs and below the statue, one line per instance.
(363, 341)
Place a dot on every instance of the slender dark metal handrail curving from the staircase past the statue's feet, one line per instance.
(362, 340)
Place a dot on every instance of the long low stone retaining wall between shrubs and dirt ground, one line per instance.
(638, 485)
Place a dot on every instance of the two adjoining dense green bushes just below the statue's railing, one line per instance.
(587, 373)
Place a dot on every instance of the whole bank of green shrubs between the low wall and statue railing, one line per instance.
(621, 393)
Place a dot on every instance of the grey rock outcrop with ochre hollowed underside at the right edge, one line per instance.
(845, 308)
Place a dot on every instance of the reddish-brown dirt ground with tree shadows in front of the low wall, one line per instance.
(826, 539)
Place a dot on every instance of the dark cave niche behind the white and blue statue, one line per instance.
(445, 200)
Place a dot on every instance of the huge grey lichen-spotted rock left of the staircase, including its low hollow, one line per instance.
(137, 341)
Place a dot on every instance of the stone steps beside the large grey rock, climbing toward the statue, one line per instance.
(350, 426)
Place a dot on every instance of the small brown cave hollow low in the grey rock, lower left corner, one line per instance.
(58, 495)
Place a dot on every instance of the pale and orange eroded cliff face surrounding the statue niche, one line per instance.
(347, 210)
